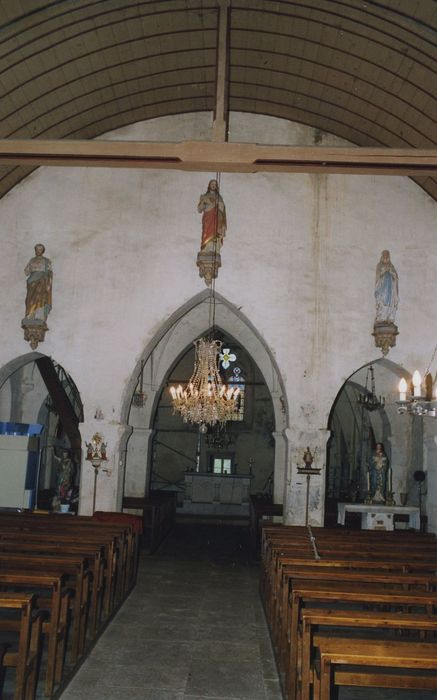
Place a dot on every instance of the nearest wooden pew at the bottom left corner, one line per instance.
(24, 657)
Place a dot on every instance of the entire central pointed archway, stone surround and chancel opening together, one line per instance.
(152, 462)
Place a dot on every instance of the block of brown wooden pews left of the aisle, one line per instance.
(79, 571)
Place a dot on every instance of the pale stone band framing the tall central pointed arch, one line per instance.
(162, 352)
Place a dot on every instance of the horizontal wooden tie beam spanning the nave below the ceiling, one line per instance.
(206, 156)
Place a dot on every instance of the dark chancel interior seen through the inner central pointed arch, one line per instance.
(214, 474)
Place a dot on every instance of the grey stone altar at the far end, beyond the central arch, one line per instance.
(216, 494)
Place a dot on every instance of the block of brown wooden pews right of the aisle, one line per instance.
(303, 568)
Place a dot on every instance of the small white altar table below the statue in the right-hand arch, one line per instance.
(379, 517)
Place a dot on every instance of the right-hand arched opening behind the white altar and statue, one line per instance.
(356, 425)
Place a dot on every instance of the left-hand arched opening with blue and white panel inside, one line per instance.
(40, 443)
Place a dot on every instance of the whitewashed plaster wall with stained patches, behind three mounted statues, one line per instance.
(299, 261)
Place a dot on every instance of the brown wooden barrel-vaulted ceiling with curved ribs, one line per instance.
(361, 69)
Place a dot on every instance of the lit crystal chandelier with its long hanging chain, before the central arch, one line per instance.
(206, 400)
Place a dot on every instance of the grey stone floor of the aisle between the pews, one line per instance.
(193, 628)
